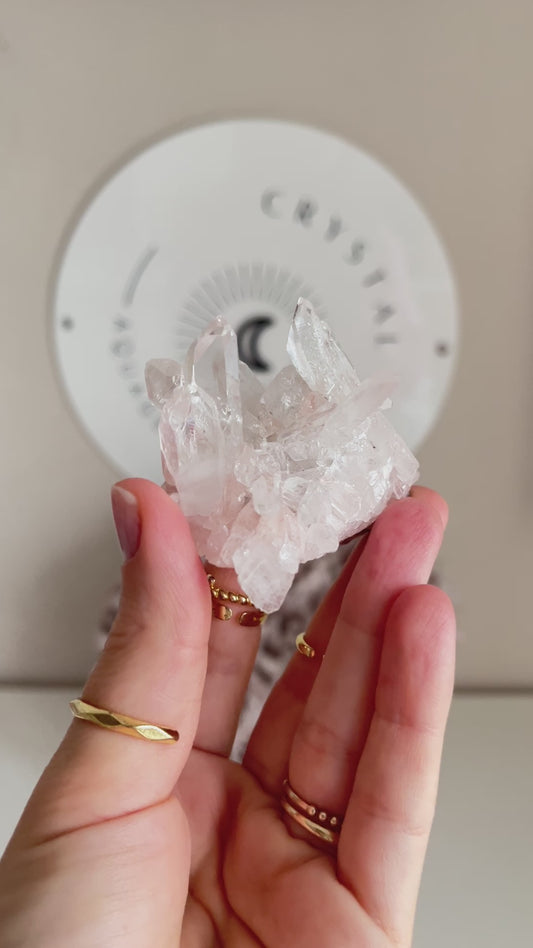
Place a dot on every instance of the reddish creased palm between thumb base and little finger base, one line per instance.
(249, 875)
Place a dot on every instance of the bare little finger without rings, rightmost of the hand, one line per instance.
(389, 816)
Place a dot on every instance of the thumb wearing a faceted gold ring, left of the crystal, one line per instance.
(152, 668)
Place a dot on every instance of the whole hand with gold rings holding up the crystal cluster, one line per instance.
(129, 843)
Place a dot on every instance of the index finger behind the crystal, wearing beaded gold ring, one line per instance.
(232, 651)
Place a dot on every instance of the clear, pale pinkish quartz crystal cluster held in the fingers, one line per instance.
(272, 476)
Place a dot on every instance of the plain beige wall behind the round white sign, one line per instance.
(440, 92)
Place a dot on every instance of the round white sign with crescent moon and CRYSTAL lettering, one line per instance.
(241, 218)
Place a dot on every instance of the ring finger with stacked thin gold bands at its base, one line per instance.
(328, 742)
